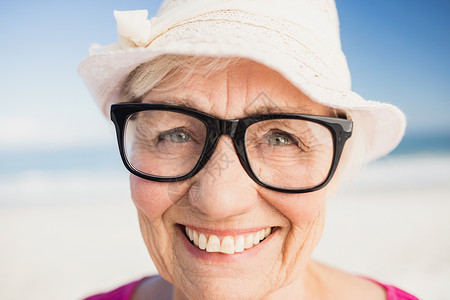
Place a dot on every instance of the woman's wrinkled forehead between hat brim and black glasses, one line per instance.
(237, 91)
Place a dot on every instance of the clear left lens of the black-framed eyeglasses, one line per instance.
(164, 143)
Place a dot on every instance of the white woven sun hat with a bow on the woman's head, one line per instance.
(297, 38)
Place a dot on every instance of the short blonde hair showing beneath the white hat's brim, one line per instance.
(168, 72)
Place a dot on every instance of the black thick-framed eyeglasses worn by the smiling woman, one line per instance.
(285, 152)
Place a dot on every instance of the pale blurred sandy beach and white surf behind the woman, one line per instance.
(67, 235)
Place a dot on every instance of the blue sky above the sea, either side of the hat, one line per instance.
(398, 52)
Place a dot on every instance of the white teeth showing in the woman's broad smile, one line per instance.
(229, 244)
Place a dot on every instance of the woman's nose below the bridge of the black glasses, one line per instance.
(222, 188)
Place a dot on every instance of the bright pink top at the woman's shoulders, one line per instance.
(126, 291)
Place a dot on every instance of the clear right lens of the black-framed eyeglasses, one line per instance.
(289, 153)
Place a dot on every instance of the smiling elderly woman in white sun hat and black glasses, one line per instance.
(237, 122)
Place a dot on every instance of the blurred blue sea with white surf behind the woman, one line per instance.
(87, 173)
